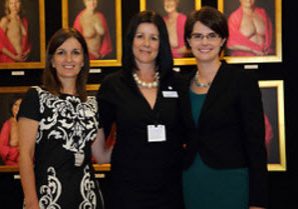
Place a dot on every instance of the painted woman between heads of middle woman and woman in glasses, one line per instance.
(175, 22)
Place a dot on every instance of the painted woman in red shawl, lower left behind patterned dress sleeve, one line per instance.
(9, 140)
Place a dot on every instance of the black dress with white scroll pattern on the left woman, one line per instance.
(67, 127)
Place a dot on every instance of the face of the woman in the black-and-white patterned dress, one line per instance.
(68, 59)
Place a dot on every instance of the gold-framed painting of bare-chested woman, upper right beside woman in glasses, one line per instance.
(255, 34)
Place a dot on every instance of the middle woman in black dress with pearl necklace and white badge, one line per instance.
(143, 101)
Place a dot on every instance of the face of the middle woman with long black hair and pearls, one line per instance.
(146, 44)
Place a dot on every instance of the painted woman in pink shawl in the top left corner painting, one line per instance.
(14, 41)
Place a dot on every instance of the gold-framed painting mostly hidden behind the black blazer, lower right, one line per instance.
(273, 104)
